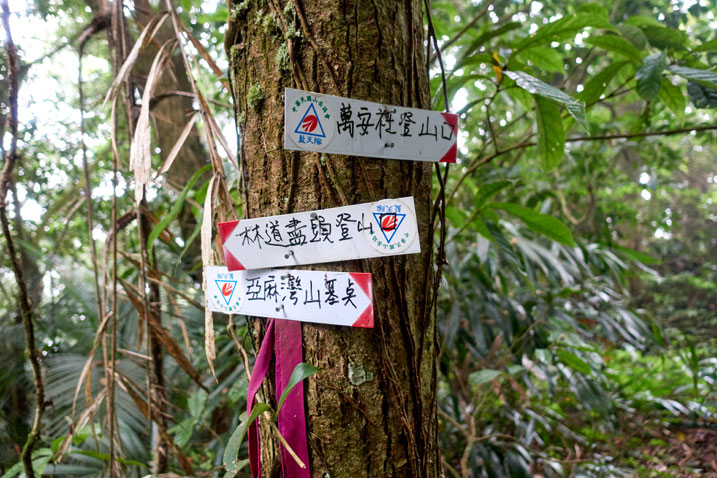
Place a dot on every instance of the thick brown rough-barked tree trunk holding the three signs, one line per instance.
(371, 409)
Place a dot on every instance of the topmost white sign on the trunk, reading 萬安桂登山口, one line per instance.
(332, 124)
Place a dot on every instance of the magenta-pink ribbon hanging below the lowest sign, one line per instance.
(283, 338)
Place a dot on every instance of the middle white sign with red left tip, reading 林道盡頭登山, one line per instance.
(383, 228)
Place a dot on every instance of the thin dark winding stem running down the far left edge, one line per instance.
(26, 307)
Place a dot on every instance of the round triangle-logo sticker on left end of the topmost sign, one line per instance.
(310, 122)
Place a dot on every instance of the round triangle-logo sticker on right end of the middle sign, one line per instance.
(393, 226)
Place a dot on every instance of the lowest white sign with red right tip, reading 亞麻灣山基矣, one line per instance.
(338, 298)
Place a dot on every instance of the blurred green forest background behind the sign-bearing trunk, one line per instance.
(578, 305)
